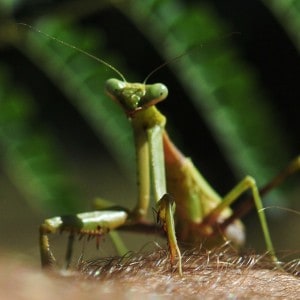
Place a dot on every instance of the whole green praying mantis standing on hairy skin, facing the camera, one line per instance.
(188, 208)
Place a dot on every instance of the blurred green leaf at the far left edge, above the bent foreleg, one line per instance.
(30, 156)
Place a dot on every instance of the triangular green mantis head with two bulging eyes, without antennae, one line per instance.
(133, 97)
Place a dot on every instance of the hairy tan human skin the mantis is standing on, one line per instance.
(206, 275)
